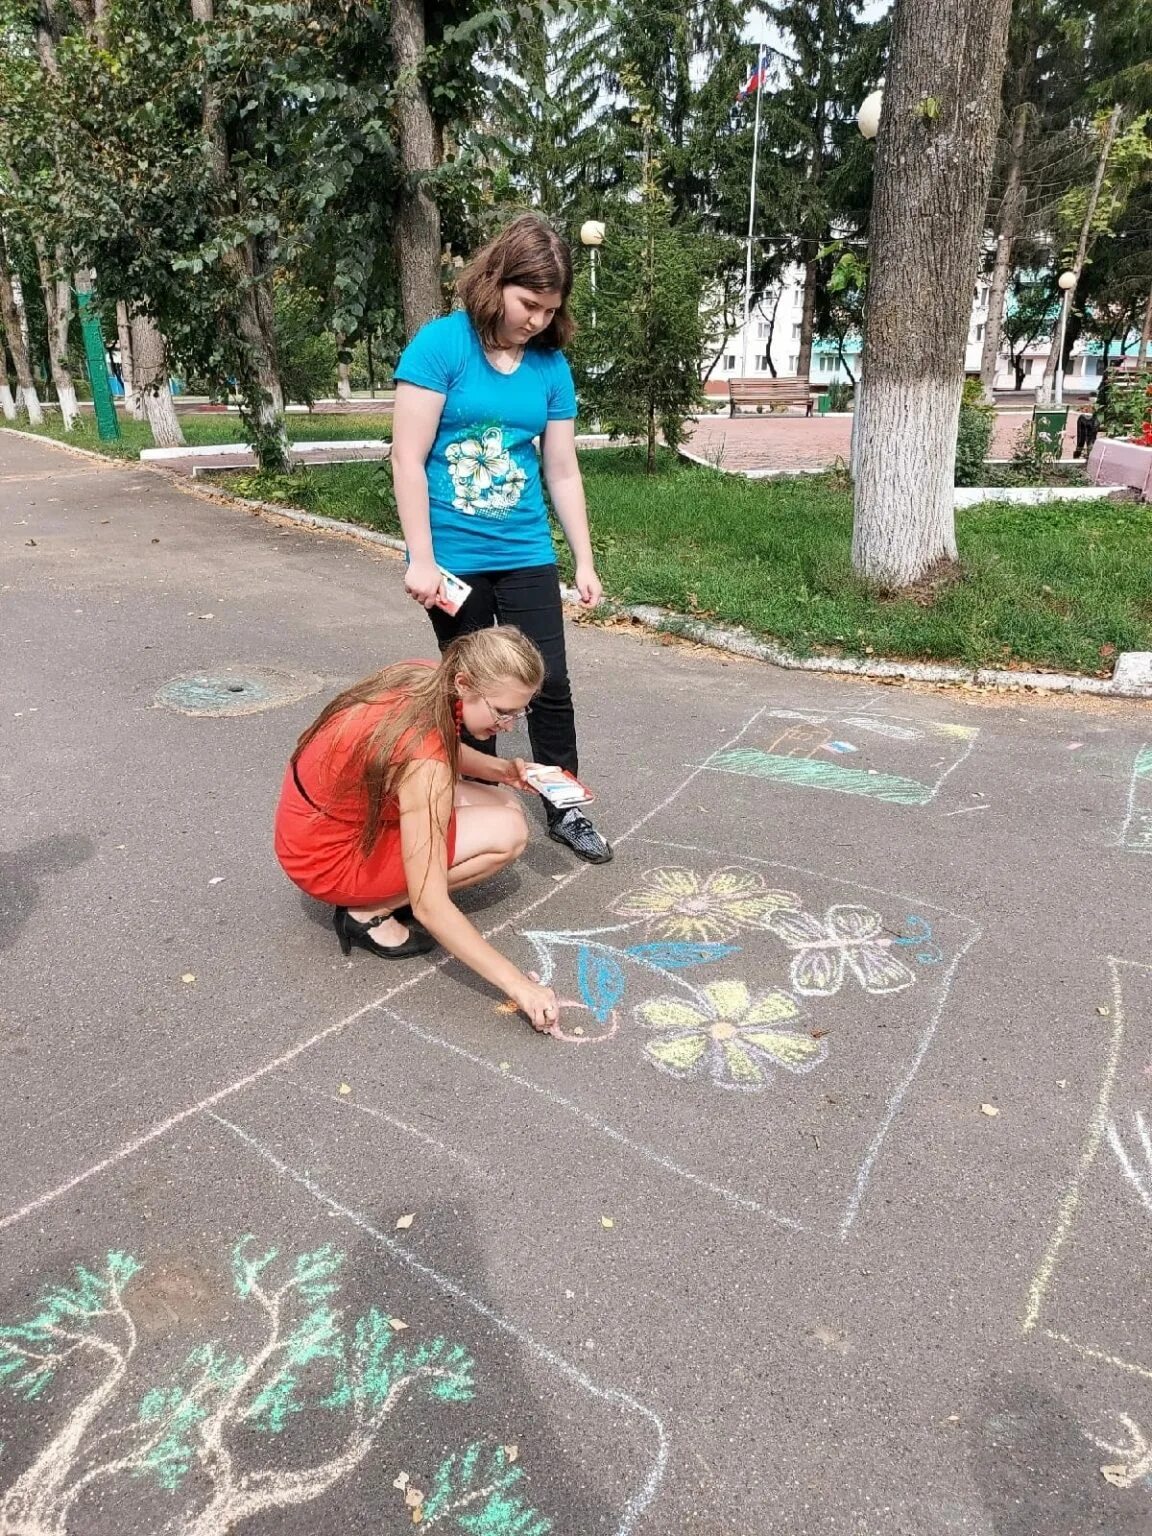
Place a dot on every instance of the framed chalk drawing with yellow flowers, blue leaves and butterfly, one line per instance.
(615, 978)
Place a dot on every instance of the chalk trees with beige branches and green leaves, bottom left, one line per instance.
(194, 1432)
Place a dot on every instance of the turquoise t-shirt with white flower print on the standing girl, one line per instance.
(486, 502)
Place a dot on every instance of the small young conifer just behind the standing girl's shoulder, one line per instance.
(643, 336)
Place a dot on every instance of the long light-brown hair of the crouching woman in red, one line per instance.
(428, 703)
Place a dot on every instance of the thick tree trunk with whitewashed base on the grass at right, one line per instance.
(933, 173)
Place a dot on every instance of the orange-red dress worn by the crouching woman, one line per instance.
(320, 819)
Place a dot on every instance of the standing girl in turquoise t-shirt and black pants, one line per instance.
(474, 392)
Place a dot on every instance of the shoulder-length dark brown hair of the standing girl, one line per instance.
(529, 254)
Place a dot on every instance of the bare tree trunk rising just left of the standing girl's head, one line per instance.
(419, 225)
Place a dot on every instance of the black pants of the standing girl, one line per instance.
(529, 600)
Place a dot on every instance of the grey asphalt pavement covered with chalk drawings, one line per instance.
(827, 1211)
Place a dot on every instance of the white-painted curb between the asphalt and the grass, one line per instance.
(1131, 680)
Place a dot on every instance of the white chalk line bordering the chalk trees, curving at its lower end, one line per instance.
(612, 1395)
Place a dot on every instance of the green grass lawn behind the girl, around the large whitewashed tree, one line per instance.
(1058, 588)
